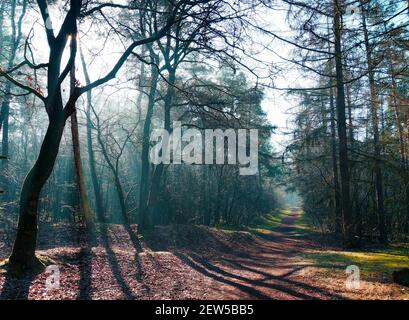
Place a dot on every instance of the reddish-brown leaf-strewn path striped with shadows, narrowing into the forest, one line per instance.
(266, 268)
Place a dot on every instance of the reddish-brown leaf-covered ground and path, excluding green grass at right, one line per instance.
(225, 266)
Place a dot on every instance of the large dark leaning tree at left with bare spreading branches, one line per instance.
(23, 255)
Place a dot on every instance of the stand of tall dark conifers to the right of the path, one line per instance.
(369, 139)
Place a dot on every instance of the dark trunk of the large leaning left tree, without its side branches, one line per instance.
(23, 254)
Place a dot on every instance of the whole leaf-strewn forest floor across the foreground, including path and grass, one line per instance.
(194, 263)
